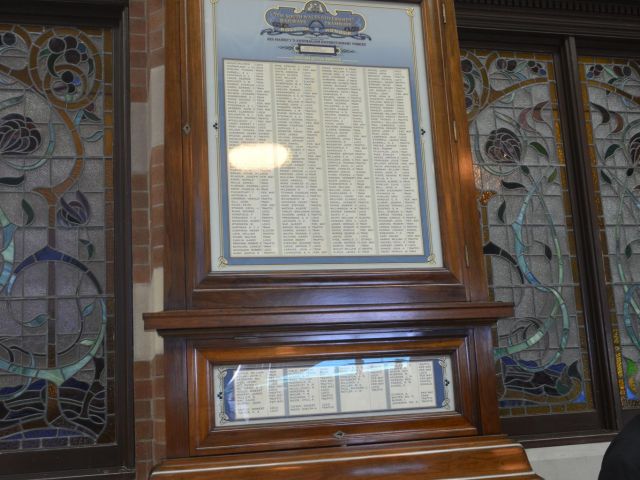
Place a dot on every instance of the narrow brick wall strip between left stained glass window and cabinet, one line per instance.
(146, 23)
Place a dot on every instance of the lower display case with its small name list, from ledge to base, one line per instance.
(407, 390)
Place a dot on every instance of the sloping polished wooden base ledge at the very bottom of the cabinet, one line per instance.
(489, 457)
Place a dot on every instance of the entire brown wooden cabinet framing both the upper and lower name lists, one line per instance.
(216, 318)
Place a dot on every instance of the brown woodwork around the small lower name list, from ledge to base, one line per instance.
(194, 339)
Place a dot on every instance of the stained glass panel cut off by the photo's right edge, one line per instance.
(611, 93)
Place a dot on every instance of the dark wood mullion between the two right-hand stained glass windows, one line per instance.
(587, 237)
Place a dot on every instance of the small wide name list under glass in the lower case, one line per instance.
(285, 392)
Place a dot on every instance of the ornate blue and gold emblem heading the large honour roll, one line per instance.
(315, 20)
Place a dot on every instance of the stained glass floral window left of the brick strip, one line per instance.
(56, 230)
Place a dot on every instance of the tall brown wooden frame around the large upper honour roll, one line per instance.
(188, 282)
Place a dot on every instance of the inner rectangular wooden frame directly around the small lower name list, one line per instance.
(212, 440)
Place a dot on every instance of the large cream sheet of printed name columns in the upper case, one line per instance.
(349, 185)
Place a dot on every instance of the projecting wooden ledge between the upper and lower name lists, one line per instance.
(479, 312)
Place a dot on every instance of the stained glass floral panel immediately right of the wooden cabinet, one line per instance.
(527, 231)
